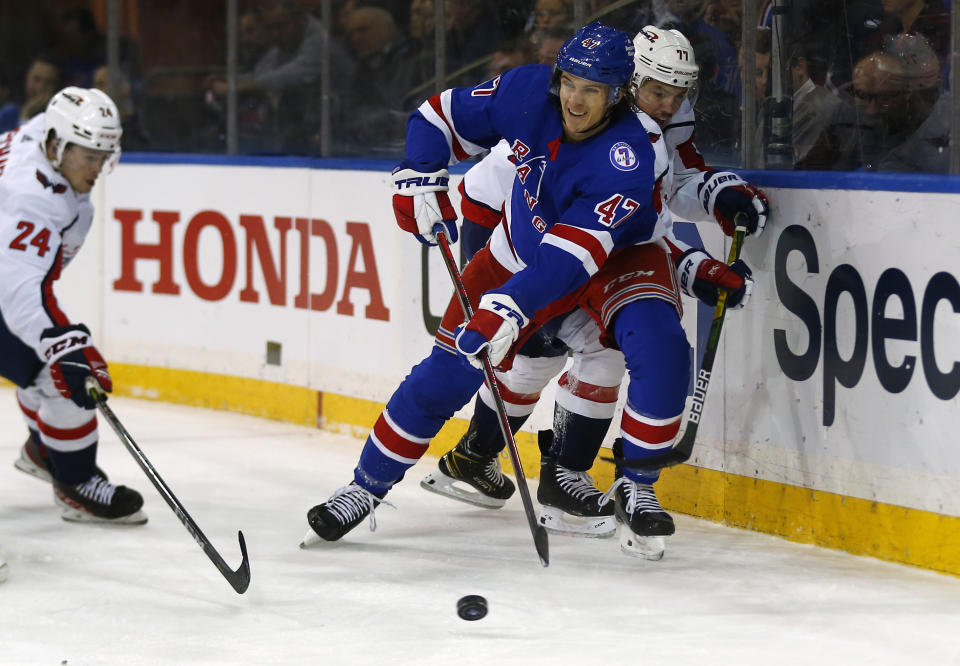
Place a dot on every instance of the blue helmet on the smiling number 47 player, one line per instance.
(597, 53)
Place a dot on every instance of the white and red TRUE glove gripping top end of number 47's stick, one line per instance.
(420, 201)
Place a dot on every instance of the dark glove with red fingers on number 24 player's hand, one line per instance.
(70, 353)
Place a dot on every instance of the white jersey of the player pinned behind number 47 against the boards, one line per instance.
(679, 168)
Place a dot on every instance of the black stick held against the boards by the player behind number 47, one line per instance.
(681, 452)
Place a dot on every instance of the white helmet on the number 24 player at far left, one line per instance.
(85, 117)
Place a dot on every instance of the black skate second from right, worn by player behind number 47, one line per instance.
(572, 505)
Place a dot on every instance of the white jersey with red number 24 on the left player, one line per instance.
(43, 223)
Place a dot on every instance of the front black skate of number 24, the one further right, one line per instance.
(96, 500)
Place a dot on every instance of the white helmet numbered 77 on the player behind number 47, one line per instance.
(665, 56)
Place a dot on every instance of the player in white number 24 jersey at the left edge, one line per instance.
(47, 168)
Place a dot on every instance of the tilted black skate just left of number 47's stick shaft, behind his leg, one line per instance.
(470, 476)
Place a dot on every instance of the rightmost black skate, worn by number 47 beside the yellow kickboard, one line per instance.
(644, 523)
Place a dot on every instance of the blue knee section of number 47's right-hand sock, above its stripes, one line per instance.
(657, 356)
